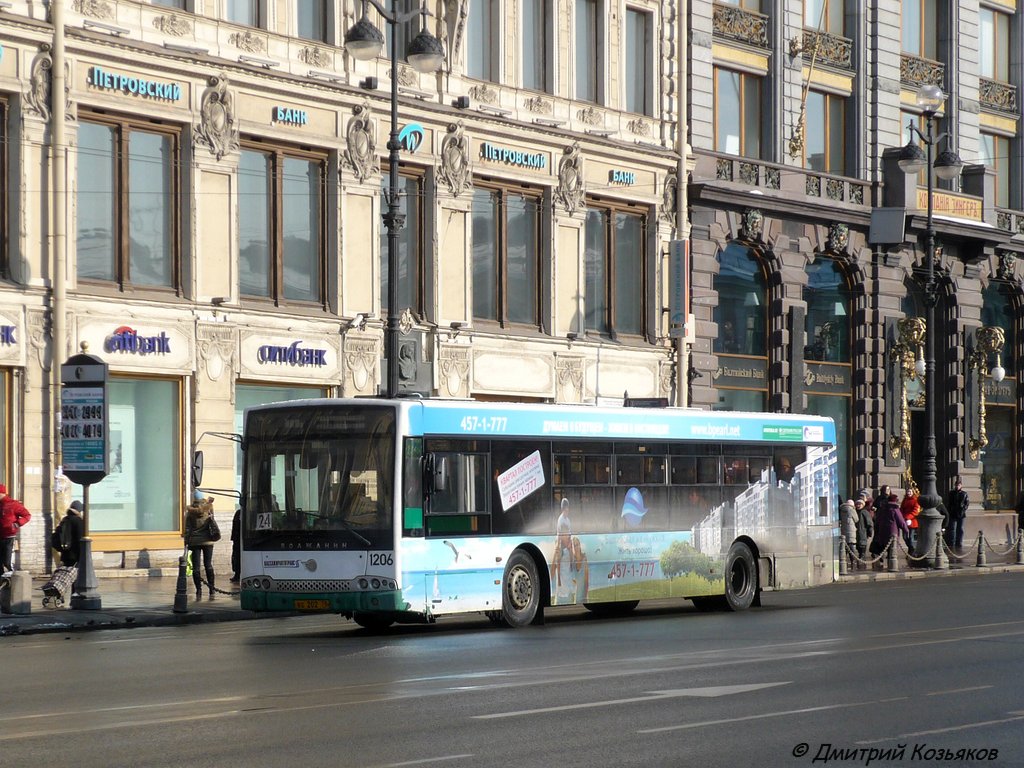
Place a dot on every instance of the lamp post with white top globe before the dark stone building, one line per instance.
(948, 166)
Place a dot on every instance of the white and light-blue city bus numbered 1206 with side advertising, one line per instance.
(392, 511)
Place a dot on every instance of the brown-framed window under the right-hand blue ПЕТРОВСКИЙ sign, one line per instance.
(506, 259)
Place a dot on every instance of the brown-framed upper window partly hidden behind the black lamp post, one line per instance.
(411, 245)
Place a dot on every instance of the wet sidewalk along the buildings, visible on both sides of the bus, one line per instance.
(146, 599)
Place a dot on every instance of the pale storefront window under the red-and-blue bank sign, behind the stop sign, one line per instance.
(141, 492)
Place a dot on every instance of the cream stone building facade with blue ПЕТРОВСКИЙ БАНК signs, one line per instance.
(220, 184)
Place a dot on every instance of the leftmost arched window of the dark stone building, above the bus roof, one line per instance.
(743, 330)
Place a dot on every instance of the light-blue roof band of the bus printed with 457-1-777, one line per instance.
(476, 419)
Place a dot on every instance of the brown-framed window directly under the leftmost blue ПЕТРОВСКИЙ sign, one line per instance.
(127, 203)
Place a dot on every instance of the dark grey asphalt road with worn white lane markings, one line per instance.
(932, 665)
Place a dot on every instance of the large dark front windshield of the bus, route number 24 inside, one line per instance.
(329, 472)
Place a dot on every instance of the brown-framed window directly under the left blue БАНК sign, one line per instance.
(281, 224)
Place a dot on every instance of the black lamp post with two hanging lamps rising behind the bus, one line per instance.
(425, 55)
